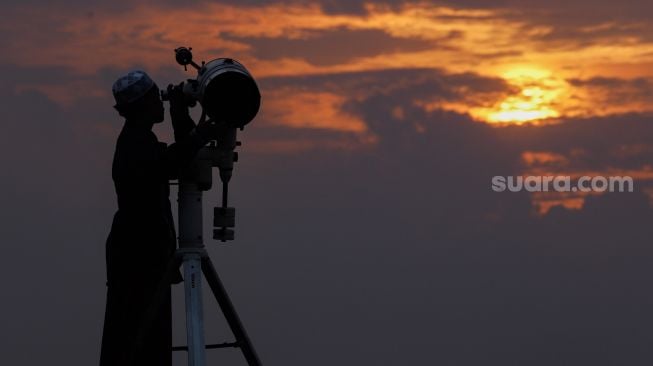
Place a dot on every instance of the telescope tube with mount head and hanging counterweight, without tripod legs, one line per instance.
(228, 95)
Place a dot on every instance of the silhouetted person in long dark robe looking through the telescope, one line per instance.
(142, 238)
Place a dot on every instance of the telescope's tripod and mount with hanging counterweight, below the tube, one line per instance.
(193, 256)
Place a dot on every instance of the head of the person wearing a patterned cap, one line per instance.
(137, 98)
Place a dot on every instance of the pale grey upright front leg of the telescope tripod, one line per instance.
(194, 312)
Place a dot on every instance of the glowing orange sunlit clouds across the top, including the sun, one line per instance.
(494, 43)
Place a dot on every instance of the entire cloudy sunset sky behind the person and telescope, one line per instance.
(367, 230)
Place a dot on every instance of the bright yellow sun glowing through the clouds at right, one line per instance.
(537, 97)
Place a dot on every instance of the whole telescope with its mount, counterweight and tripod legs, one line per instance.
(230, 98)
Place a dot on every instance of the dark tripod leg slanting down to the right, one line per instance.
(229, 312)
